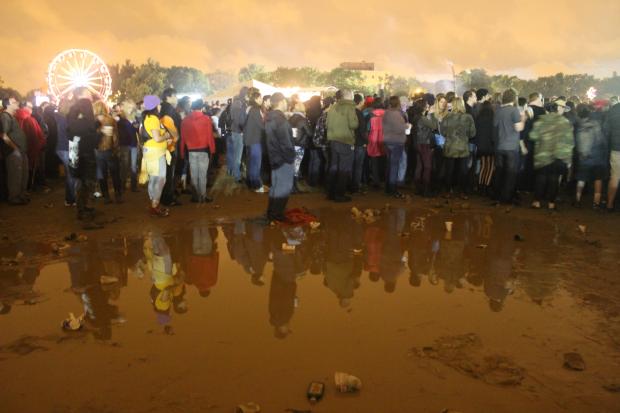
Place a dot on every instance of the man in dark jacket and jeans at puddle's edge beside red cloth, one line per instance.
(281, 157)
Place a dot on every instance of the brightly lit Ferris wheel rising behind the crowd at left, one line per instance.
(78, 68)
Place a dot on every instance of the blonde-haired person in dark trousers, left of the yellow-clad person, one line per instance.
(107, 153)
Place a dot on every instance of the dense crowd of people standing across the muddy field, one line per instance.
(499, 145)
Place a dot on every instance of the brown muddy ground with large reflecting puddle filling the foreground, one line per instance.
(217, 313)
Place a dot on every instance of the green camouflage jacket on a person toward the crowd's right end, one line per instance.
(553, 136)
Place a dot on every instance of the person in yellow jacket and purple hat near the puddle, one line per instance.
(155, 154)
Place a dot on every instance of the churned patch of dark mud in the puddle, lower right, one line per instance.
(465, 354)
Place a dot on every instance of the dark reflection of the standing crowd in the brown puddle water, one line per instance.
(478, 251)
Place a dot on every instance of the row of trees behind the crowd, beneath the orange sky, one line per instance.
(133, 81)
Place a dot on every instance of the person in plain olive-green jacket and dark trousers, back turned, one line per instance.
(341, 125)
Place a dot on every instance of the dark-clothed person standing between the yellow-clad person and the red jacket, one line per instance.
(171, 121)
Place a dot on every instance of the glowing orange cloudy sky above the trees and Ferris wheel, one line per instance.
(409, 37)
